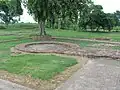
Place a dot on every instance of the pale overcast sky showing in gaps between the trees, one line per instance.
(108, 5)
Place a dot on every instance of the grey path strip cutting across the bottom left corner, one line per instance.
(6, 85)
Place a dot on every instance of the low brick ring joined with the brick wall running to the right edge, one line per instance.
(73, 50)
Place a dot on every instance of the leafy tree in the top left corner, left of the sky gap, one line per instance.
(10, 9)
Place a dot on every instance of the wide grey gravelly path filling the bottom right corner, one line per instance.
(98, 74)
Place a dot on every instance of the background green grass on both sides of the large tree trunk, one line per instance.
(32, 29)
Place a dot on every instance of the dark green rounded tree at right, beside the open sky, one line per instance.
(97, 18)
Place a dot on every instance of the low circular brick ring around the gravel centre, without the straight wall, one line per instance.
(22, 47)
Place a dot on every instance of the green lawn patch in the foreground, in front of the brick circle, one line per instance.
(38, 66)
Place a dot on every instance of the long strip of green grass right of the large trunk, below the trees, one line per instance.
(115, 36)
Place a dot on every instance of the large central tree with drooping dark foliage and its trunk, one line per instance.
(54, 10)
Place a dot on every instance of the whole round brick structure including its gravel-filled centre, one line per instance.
(46, 47)
